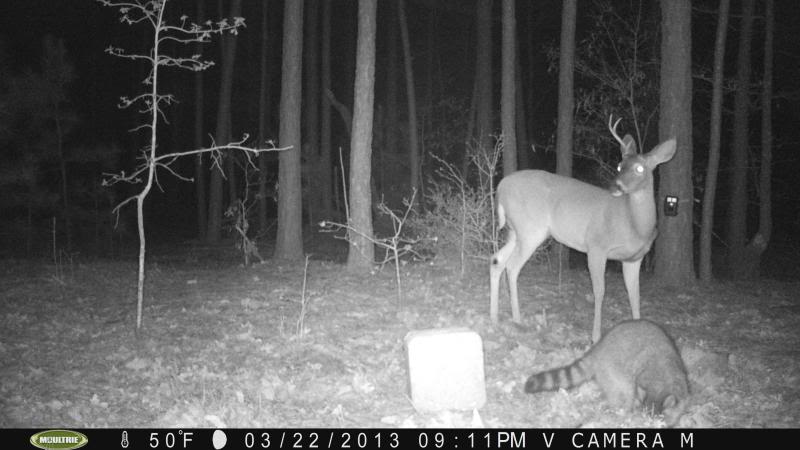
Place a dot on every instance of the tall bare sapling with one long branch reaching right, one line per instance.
(152, 103)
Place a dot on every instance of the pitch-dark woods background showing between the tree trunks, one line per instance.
(95, 137)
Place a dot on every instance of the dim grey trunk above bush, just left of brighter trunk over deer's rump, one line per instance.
(483, 73)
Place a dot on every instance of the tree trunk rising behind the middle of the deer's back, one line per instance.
(566, 94)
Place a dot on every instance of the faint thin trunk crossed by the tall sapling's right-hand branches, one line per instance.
(199, 171)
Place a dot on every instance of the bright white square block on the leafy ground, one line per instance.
(445, 369)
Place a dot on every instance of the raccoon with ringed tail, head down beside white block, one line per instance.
(635, 363)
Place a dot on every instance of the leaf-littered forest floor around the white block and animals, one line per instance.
(224, 345)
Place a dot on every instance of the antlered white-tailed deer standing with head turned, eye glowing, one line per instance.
(618, 224)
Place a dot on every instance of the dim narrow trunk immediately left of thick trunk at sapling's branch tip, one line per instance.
(264, 95)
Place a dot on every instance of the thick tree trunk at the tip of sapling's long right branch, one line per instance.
(289, 240)
